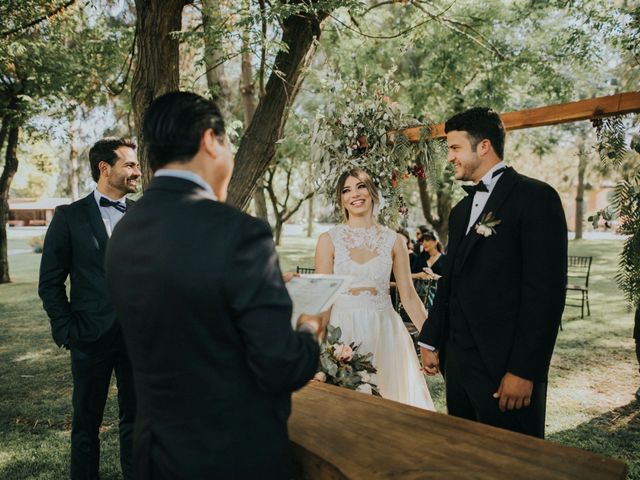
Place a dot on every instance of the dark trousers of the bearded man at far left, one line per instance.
(91, 372)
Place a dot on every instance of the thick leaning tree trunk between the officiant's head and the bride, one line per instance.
(257, 147)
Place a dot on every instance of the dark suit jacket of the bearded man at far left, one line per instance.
(74, 247)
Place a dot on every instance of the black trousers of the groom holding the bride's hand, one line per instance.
(470, 389)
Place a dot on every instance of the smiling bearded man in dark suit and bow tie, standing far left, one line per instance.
(85, 323)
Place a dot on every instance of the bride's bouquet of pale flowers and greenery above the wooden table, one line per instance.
(342, 365)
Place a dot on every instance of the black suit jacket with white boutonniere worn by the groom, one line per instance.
(504, 294)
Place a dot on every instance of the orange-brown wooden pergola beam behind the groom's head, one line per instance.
(589, 109)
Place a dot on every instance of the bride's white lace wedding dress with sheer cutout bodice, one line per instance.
(369, 319)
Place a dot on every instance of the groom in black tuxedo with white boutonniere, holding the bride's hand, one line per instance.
(498, 306)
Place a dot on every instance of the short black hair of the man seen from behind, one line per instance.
(173, 126)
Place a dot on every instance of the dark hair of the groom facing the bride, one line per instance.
(479, 123)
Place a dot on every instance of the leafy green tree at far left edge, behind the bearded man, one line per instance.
(47, 54)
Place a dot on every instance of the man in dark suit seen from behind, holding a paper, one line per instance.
(204, 311)
